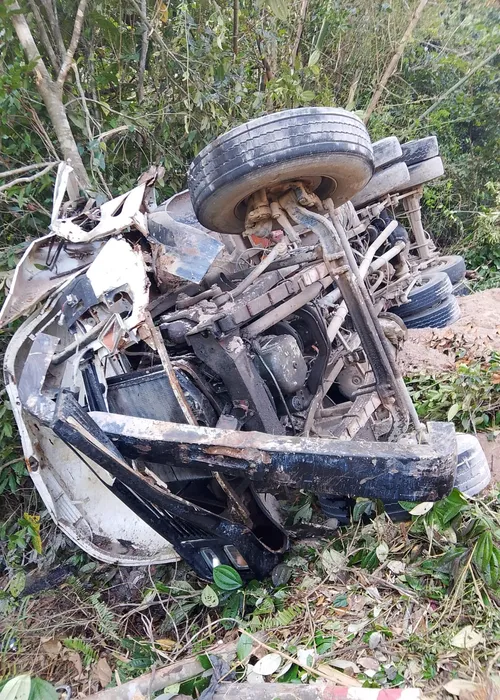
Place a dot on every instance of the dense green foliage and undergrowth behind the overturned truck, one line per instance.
(200, 79)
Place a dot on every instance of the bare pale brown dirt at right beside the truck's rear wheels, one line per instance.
(474, 336)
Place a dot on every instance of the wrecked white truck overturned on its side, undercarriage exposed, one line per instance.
(182, 363)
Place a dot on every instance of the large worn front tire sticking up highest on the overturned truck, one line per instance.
(328, 147)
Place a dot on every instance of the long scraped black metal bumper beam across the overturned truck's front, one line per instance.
(411, 471)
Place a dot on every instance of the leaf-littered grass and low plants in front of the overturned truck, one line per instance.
(389, 603)
